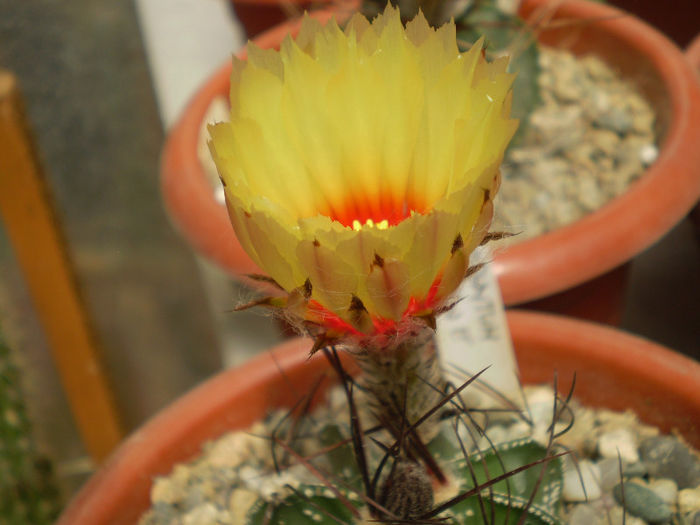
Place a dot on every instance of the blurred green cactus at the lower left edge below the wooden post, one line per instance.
(27, 491)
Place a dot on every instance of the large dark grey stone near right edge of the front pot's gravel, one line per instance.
(667, 457)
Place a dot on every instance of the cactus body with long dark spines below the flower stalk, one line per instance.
(352, 476)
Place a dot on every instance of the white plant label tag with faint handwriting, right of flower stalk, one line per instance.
(474, 334)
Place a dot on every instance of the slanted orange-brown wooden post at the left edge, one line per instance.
(28, 213)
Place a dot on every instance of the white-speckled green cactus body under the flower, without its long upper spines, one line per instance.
(504, 482)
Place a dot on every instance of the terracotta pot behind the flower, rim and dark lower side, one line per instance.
(549, 264)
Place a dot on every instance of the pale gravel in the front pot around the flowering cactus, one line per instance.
(236, 470)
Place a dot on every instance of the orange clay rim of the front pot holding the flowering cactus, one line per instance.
(648, 364)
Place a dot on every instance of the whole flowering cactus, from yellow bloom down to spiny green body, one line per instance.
(366, 241)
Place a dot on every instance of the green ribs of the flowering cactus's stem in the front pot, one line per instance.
(533, 493)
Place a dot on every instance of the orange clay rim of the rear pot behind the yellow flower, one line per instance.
(535, 268)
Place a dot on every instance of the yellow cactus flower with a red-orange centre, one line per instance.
(359, 167)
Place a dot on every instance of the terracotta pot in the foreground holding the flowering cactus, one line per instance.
(613, 369)
